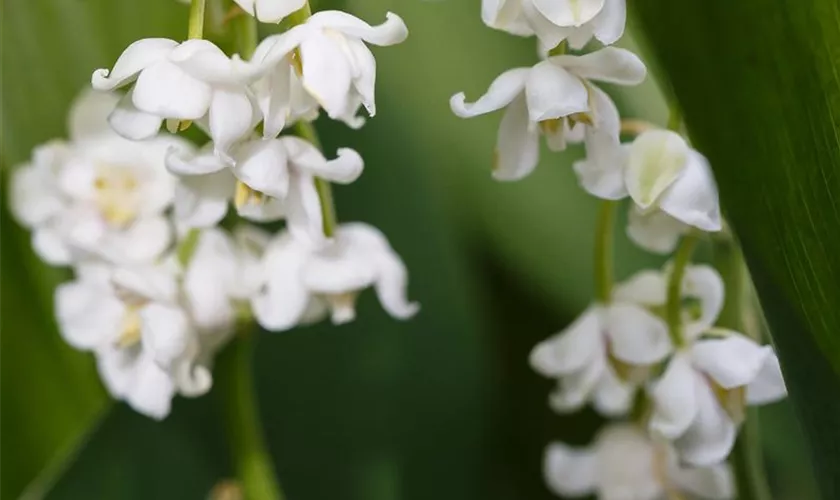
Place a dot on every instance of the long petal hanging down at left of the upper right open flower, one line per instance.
(517, 146)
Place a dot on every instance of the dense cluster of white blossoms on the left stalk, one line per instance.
(164, 276)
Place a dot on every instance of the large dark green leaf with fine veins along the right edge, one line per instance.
(760, 90)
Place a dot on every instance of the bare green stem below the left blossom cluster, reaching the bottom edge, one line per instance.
(252, 462)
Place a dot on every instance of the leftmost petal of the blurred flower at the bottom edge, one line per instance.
(570, 471)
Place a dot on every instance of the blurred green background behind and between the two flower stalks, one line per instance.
(443, 406)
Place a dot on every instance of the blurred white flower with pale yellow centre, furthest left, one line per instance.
(99, 195)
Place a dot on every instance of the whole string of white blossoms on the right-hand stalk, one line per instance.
(647, 352)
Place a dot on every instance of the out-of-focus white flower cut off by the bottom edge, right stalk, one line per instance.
(623, 463)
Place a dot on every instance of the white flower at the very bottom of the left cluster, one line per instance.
(145, 344)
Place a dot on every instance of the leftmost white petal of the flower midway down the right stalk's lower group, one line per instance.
(571, 349)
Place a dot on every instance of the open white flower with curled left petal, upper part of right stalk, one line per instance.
(557, 98)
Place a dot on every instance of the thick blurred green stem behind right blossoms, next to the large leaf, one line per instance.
(747, 458)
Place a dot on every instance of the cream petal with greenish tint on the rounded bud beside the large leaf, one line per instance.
(656, 159)
